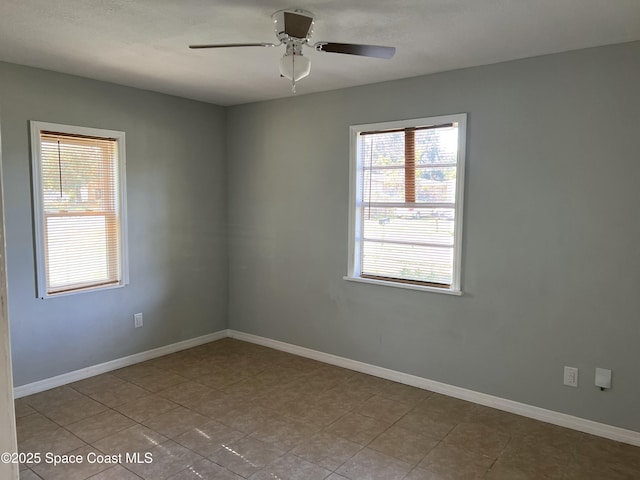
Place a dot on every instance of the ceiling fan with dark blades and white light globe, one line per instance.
(293, 28)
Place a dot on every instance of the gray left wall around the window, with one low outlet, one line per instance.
(176, 219)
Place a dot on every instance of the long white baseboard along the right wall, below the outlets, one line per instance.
(537, 413)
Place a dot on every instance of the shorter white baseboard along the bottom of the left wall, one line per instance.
(70, 377)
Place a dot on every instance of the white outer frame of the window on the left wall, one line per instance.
(36, 127)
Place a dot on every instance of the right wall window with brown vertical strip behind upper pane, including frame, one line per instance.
(407, 182)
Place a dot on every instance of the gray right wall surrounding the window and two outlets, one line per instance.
(550, 256)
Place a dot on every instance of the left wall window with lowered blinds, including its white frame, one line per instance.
(79, 208)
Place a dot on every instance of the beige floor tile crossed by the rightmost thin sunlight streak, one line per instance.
(246, 456)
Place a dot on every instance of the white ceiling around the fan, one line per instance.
(143, 43)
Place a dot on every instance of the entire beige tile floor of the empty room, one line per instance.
(232, 410)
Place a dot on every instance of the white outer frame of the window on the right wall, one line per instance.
(355, 211)
